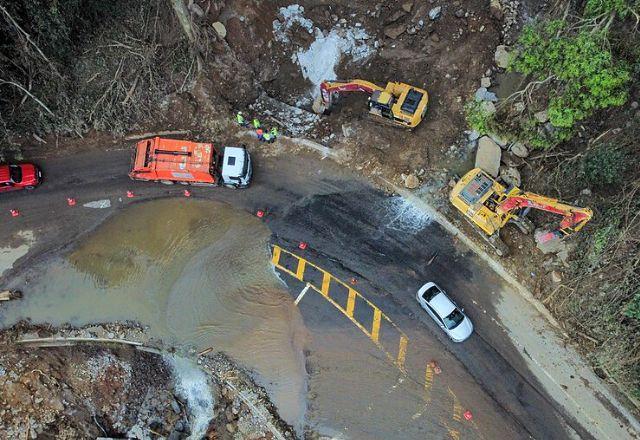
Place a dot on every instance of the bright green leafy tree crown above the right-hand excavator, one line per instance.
(585, 76)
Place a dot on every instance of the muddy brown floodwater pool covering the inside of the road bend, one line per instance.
(198, 273)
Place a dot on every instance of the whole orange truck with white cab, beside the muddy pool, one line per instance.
(192, 163)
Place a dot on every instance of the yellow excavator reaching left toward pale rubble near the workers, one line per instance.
(400, 104)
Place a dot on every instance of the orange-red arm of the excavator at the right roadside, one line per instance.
(573, 220)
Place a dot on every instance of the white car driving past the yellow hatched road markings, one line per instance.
(444, 312)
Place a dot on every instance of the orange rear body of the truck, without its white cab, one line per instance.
(160, 159)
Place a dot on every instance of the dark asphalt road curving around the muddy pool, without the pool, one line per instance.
(354, 232)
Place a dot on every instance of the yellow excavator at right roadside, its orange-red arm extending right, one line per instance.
(489, 206)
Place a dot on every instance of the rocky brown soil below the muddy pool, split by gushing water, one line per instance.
(107, 389)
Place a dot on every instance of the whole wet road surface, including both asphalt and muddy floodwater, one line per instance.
(198, 273)
